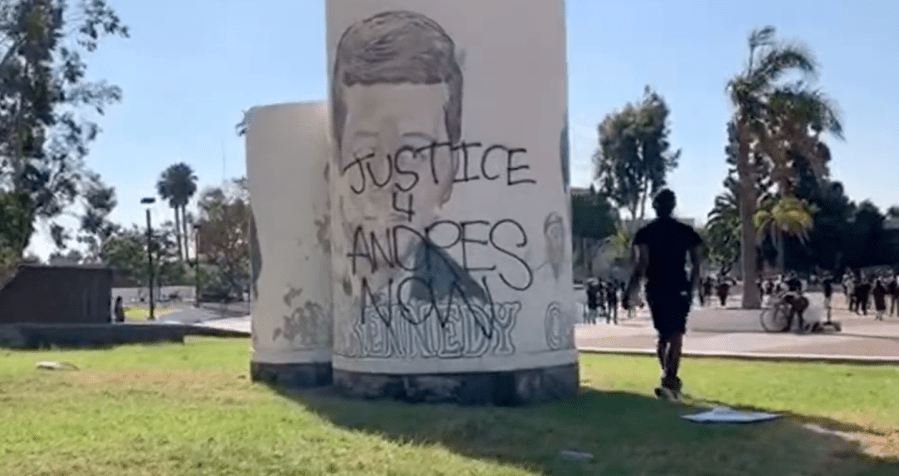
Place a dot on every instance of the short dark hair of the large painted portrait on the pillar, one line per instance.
(397, 47)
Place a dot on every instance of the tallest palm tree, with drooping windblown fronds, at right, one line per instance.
(771, 117)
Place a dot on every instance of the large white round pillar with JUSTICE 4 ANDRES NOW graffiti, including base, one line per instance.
(451, 216)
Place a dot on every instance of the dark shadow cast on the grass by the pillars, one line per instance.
(626, 433)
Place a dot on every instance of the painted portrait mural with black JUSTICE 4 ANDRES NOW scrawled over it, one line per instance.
(422, 283)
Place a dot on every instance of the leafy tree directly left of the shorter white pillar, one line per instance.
(225, 234)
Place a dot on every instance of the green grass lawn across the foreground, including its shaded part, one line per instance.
(190, 409)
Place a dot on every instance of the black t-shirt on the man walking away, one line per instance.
(668, 241)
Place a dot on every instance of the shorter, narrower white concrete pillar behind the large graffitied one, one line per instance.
(287, 159)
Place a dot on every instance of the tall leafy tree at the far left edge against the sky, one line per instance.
(43, 93)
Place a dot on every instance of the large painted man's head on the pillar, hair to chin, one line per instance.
(396, 88)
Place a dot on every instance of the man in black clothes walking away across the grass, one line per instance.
(661, 248)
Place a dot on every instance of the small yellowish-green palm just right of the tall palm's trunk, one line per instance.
(779, 218)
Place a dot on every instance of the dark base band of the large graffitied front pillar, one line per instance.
(509, 388)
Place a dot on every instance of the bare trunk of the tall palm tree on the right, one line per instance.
(751, 298)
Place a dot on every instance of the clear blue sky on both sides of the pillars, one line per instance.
(191, 67)
